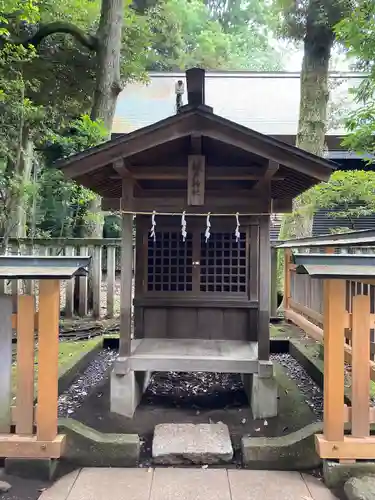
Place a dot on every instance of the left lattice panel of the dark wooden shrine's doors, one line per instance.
(170, 263)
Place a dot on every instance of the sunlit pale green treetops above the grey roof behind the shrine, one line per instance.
(187, 33)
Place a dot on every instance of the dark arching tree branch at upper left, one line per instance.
(88, 41)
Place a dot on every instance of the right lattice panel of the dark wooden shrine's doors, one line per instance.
(223, 263)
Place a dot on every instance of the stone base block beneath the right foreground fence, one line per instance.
(336, 474)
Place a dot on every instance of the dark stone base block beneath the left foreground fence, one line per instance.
(36, 468)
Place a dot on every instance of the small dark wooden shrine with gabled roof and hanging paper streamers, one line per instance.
(202, 189)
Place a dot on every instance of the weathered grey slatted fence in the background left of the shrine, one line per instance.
(97, 295)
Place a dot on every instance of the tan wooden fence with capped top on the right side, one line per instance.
(340, 314)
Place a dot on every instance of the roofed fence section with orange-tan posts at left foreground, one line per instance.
(29, 430)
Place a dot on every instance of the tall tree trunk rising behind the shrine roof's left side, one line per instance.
(108, 82)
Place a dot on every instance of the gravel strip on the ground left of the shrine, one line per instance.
(73, 398)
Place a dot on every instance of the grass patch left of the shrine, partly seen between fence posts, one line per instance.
(70, 352)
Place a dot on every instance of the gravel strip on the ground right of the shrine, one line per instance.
(312, 392)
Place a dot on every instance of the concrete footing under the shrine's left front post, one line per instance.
(127, 390)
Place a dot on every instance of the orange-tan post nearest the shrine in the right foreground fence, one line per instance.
(333, 327)
